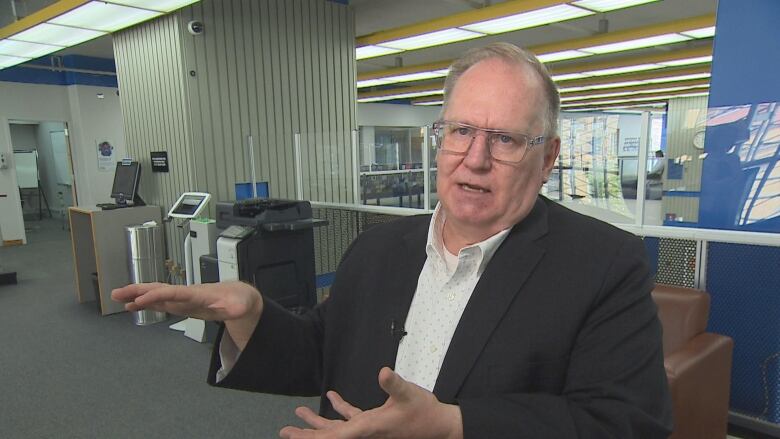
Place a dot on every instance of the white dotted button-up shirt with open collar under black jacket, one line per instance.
(443, 290)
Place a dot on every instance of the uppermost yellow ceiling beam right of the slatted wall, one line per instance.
(460, 19)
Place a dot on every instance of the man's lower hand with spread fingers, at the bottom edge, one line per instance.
(409, 412)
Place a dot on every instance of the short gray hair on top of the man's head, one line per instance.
(513, 55)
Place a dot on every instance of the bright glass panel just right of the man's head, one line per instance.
(596, 171)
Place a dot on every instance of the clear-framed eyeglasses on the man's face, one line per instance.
(505, 146)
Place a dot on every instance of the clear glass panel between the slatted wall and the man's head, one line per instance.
(391, 171)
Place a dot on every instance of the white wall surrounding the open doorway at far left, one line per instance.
(88, 118)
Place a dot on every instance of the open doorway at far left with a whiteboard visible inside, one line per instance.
(44, 174)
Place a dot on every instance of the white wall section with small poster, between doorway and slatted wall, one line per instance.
(95, 120)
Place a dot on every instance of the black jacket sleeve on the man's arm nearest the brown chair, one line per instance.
(615, 385)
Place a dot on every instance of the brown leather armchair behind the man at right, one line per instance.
(698, 363)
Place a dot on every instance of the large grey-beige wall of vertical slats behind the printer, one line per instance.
(265, 68)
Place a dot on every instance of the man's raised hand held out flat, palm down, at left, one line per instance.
(238, 304)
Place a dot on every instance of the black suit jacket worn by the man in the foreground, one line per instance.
(560, 338)
